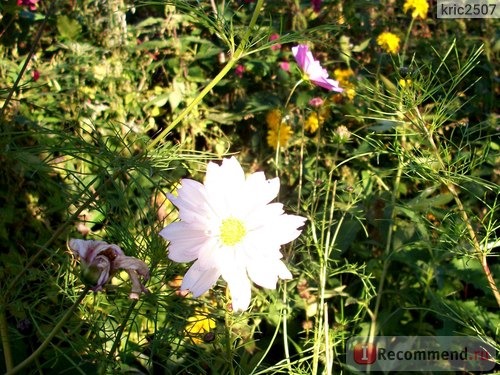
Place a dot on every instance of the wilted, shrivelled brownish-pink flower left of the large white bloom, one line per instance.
(100, 260)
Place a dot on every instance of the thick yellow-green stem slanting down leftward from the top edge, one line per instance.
(234, 58)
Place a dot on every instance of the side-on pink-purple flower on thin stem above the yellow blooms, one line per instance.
(312, 69)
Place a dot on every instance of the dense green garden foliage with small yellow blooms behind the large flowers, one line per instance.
(103, 110)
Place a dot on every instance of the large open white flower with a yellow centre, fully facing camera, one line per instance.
(230, 228)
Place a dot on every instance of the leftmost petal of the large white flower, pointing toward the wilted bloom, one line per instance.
(185, 241)
